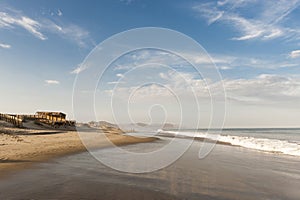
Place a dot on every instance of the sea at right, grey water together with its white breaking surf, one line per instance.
(278, 141)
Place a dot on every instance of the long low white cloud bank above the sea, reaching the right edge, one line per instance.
(265, 88)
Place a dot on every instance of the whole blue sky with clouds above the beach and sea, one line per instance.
(255, 46)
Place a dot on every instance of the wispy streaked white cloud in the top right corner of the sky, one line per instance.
(270, 23)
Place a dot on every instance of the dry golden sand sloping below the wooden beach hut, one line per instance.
(20, 148)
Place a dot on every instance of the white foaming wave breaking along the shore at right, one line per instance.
(262, 144)
